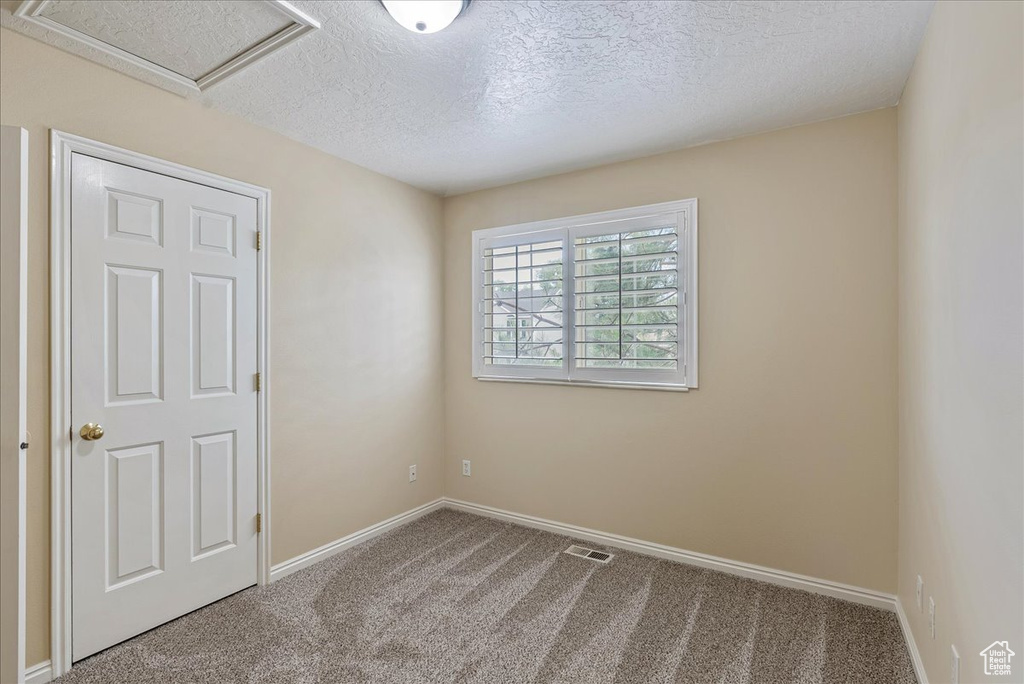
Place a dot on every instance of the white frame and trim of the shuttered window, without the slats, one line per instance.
(571, 228)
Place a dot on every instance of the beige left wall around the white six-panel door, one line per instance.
(356, 293)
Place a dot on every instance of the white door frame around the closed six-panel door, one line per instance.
(62, 147)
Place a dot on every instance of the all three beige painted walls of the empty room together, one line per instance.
(787, 456)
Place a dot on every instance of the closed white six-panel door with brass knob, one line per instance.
(164, 360)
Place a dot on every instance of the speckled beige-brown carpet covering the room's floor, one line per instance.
(455, 597)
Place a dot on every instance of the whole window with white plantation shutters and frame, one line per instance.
(608, 300)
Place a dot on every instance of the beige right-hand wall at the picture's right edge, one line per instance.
(962, 411)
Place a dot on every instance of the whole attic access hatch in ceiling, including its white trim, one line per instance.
(186, 45)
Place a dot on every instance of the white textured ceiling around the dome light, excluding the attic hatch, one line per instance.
(520, 90)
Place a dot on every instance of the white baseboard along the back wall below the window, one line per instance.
(781, 578)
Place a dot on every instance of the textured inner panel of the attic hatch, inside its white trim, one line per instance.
(191, 37)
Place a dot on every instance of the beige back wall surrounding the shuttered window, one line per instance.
(787, 455)
